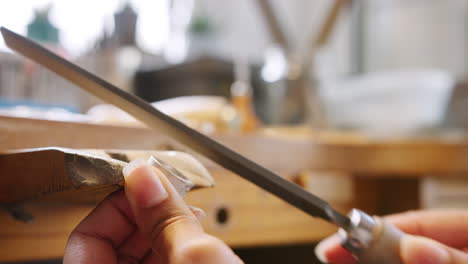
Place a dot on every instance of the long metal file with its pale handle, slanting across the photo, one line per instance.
(367, 239)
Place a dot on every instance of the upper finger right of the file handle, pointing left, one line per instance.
(444, 226)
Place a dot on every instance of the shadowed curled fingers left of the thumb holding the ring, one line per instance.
(94, 240)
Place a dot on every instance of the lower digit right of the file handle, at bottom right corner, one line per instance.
(419, 250)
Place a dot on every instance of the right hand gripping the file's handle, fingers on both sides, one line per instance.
(432, 237)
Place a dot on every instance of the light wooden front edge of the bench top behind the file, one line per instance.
(411, 157)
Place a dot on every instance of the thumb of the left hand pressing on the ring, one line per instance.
(163, 217)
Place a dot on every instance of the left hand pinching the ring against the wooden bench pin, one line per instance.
(148, 222)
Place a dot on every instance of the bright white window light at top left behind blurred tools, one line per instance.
(82, 22)
